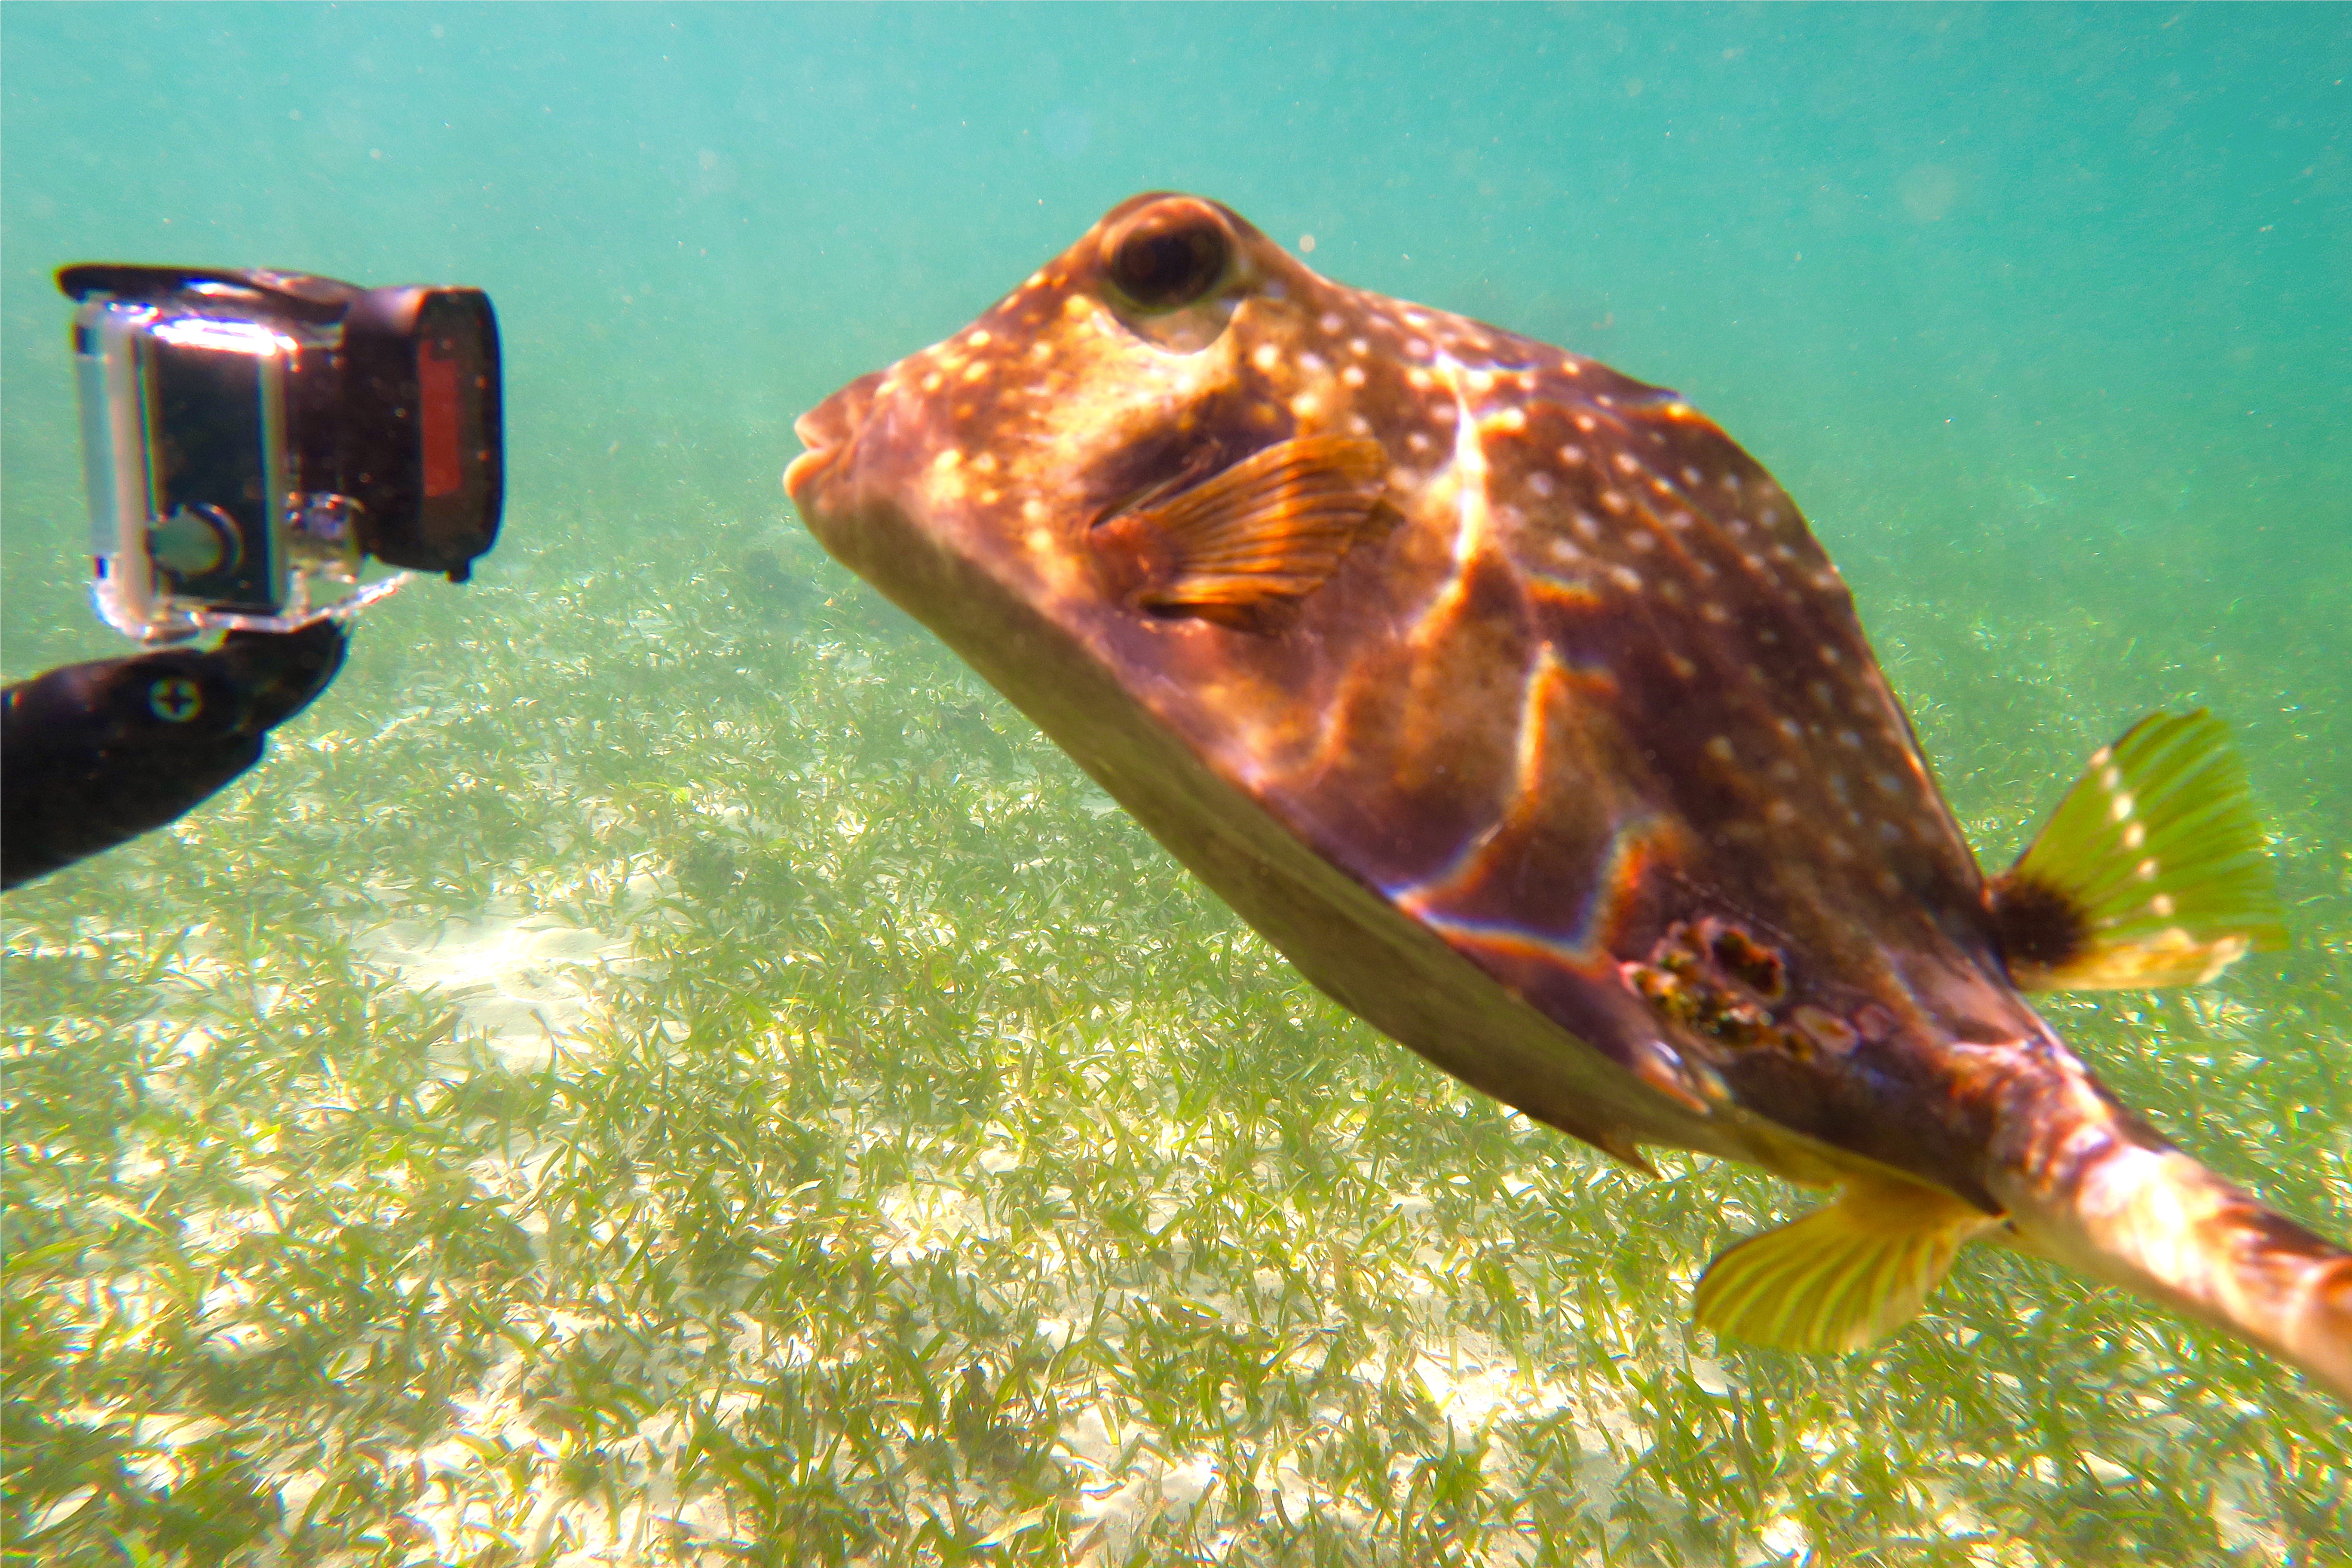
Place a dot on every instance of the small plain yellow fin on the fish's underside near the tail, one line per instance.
(1845, 1275)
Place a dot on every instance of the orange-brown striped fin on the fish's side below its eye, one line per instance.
(1271, 528)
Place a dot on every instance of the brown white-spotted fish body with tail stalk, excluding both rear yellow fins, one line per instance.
(1518, 706)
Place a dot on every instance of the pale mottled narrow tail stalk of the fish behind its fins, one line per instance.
(2102, 1193)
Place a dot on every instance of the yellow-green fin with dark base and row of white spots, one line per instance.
(2153, 871)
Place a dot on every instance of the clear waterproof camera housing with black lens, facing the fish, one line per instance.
(250, 441)
